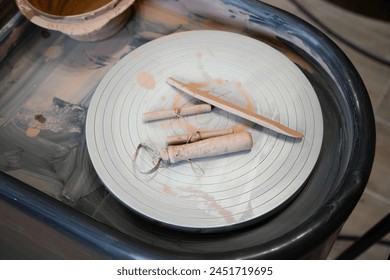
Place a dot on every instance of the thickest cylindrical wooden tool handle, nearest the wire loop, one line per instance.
(210, 147)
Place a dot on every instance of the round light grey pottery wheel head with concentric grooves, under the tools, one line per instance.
(208, 193)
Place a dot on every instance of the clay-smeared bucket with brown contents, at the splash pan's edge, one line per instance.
(87, 20)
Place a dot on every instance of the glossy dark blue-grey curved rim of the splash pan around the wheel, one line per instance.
(312, 232)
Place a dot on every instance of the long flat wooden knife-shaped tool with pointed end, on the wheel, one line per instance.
(234, 109)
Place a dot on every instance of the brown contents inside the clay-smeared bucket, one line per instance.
(68, 7)
